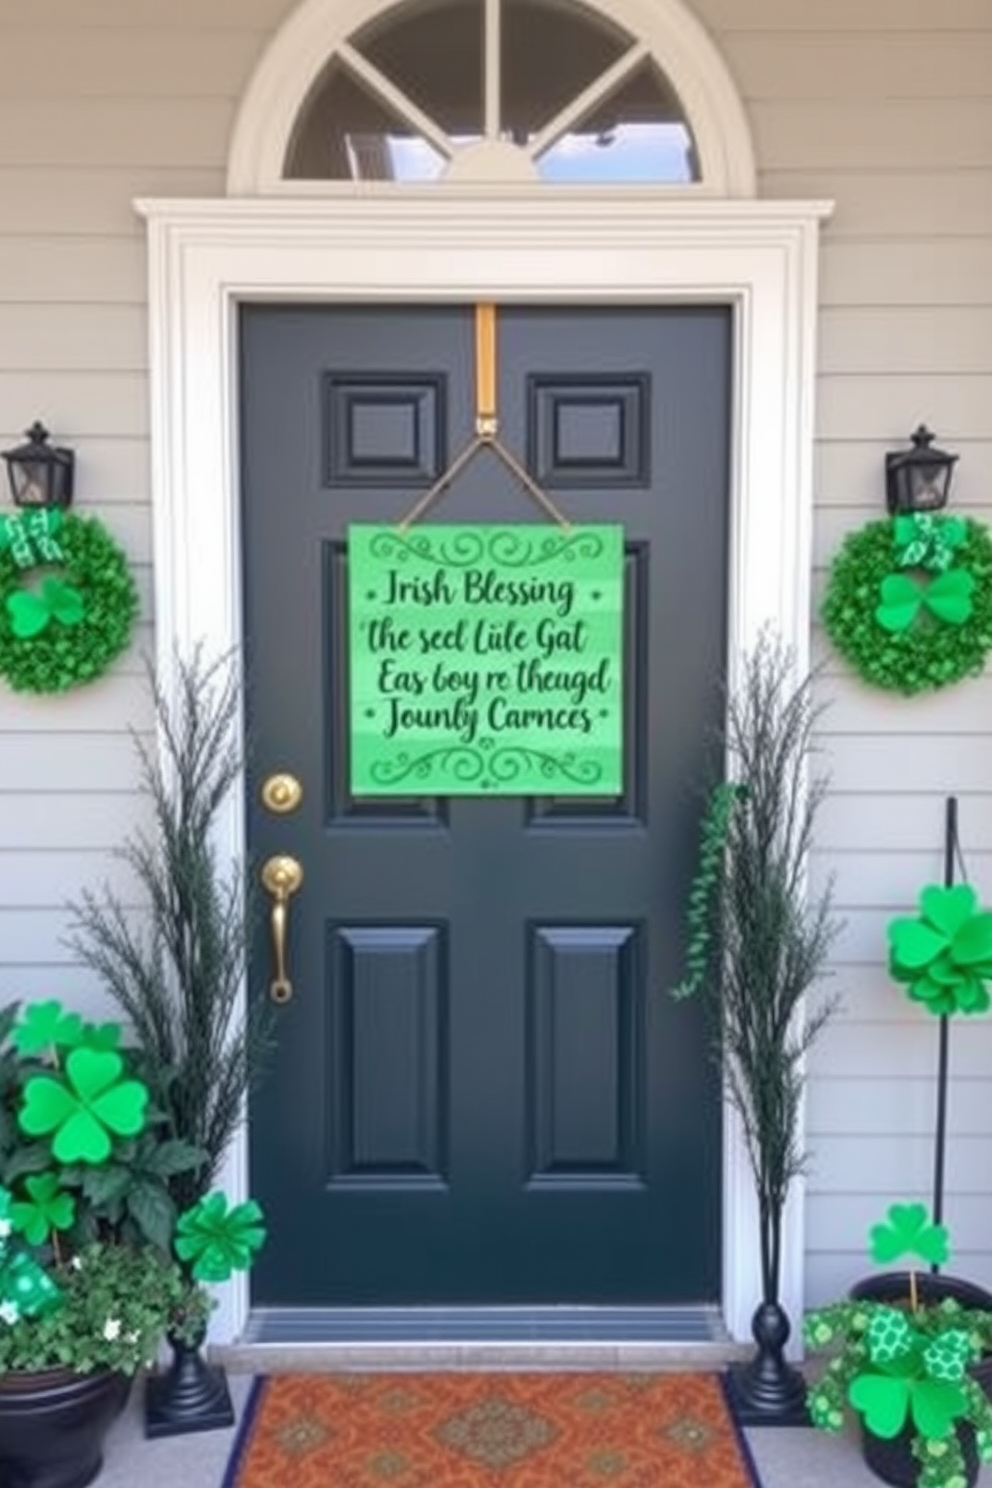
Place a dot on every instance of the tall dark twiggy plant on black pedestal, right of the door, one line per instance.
(758, 943)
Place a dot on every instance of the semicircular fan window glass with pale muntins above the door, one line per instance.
(493, 90)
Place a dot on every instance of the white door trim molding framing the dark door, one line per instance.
(448, 245)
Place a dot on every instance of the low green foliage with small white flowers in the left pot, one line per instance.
(117, 1303)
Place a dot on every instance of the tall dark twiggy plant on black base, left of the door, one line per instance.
(178, 975)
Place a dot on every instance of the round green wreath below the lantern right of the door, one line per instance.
(901, 627)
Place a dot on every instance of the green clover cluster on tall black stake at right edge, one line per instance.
(945, 956)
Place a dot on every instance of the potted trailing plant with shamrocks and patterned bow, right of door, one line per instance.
(911, 1361)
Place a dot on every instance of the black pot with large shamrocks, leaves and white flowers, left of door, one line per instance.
(88, 1283)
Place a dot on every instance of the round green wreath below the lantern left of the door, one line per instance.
(68, 600)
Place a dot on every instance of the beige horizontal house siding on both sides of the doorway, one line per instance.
(884, 106)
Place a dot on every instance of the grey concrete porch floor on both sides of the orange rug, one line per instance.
(786, 1459)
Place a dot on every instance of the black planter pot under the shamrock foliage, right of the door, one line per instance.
(893, 1459)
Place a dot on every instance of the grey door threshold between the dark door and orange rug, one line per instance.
(483, 1338)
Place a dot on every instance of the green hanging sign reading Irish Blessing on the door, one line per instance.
(487, 661)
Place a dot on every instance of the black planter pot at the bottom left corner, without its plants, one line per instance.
(53, 1426)
